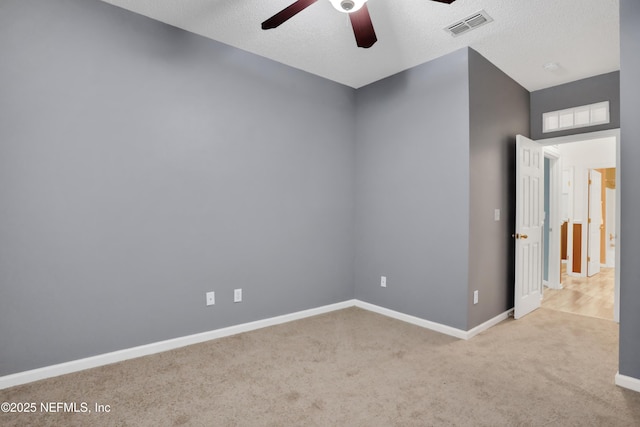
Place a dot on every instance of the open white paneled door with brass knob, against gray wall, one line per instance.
(529, 223)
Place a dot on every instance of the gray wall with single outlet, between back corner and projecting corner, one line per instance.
(412, 191)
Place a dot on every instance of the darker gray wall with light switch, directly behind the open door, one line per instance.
(499, 110)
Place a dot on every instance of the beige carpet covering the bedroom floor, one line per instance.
(356, 368)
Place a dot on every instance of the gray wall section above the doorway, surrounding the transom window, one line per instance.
(605, 87)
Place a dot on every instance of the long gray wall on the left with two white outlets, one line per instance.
(142, 166)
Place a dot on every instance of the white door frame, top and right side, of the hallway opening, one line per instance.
(597, 135)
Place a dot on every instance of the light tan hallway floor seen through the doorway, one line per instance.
(588, 296)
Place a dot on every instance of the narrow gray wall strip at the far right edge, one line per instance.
(630, 191)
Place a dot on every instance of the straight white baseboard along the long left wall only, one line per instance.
(158, 347)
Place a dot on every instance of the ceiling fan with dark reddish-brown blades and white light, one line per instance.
(358, 14)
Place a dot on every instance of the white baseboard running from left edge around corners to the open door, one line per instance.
(161, 346)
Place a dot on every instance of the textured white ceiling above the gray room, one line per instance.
(582, 36)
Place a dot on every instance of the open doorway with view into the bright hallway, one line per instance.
(581, 224)
